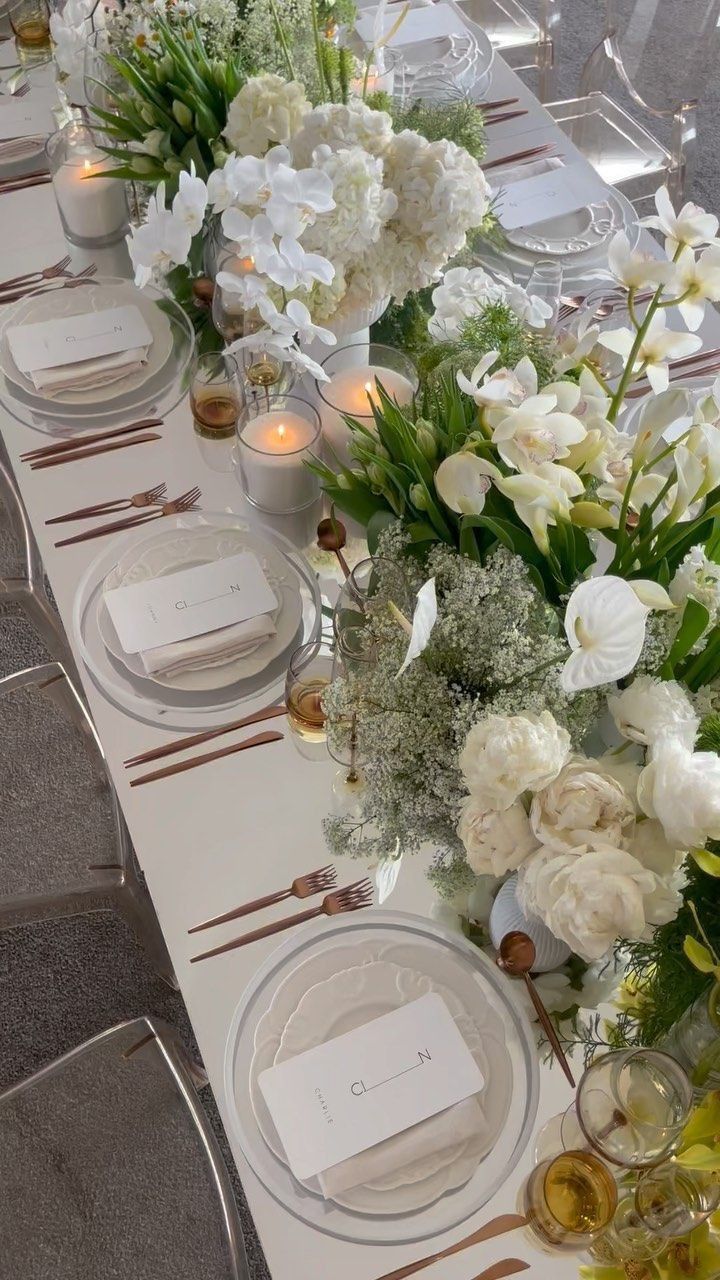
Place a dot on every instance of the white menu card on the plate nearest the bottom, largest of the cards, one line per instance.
(368, 1085)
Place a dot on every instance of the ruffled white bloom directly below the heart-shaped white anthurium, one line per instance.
(650, 710)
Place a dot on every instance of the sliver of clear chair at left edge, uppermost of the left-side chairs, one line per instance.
(22, 578)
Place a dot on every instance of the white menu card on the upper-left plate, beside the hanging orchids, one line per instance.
(70, 340)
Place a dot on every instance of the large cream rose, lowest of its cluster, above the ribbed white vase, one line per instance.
(591, 899)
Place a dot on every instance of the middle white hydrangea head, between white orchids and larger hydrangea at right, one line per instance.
(363, 205)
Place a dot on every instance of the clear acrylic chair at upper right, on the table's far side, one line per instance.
(636, 113)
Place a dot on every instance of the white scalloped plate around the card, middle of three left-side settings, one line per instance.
(172, 551)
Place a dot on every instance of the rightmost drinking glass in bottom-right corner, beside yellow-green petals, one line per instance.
(673, 1201)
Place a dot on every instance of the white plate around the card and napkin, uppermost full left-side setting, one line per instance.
(62, 303)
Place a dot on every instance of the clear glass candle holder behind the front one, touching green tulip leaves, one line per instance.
(354, 373)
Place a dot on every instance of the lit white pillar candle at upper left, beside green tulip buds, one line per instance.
(93, 208)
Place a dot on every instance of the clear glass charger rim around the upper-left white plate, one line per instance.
(156, 396)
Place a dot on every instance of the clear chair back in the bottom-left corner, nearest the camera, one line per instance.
(110, 1168)
